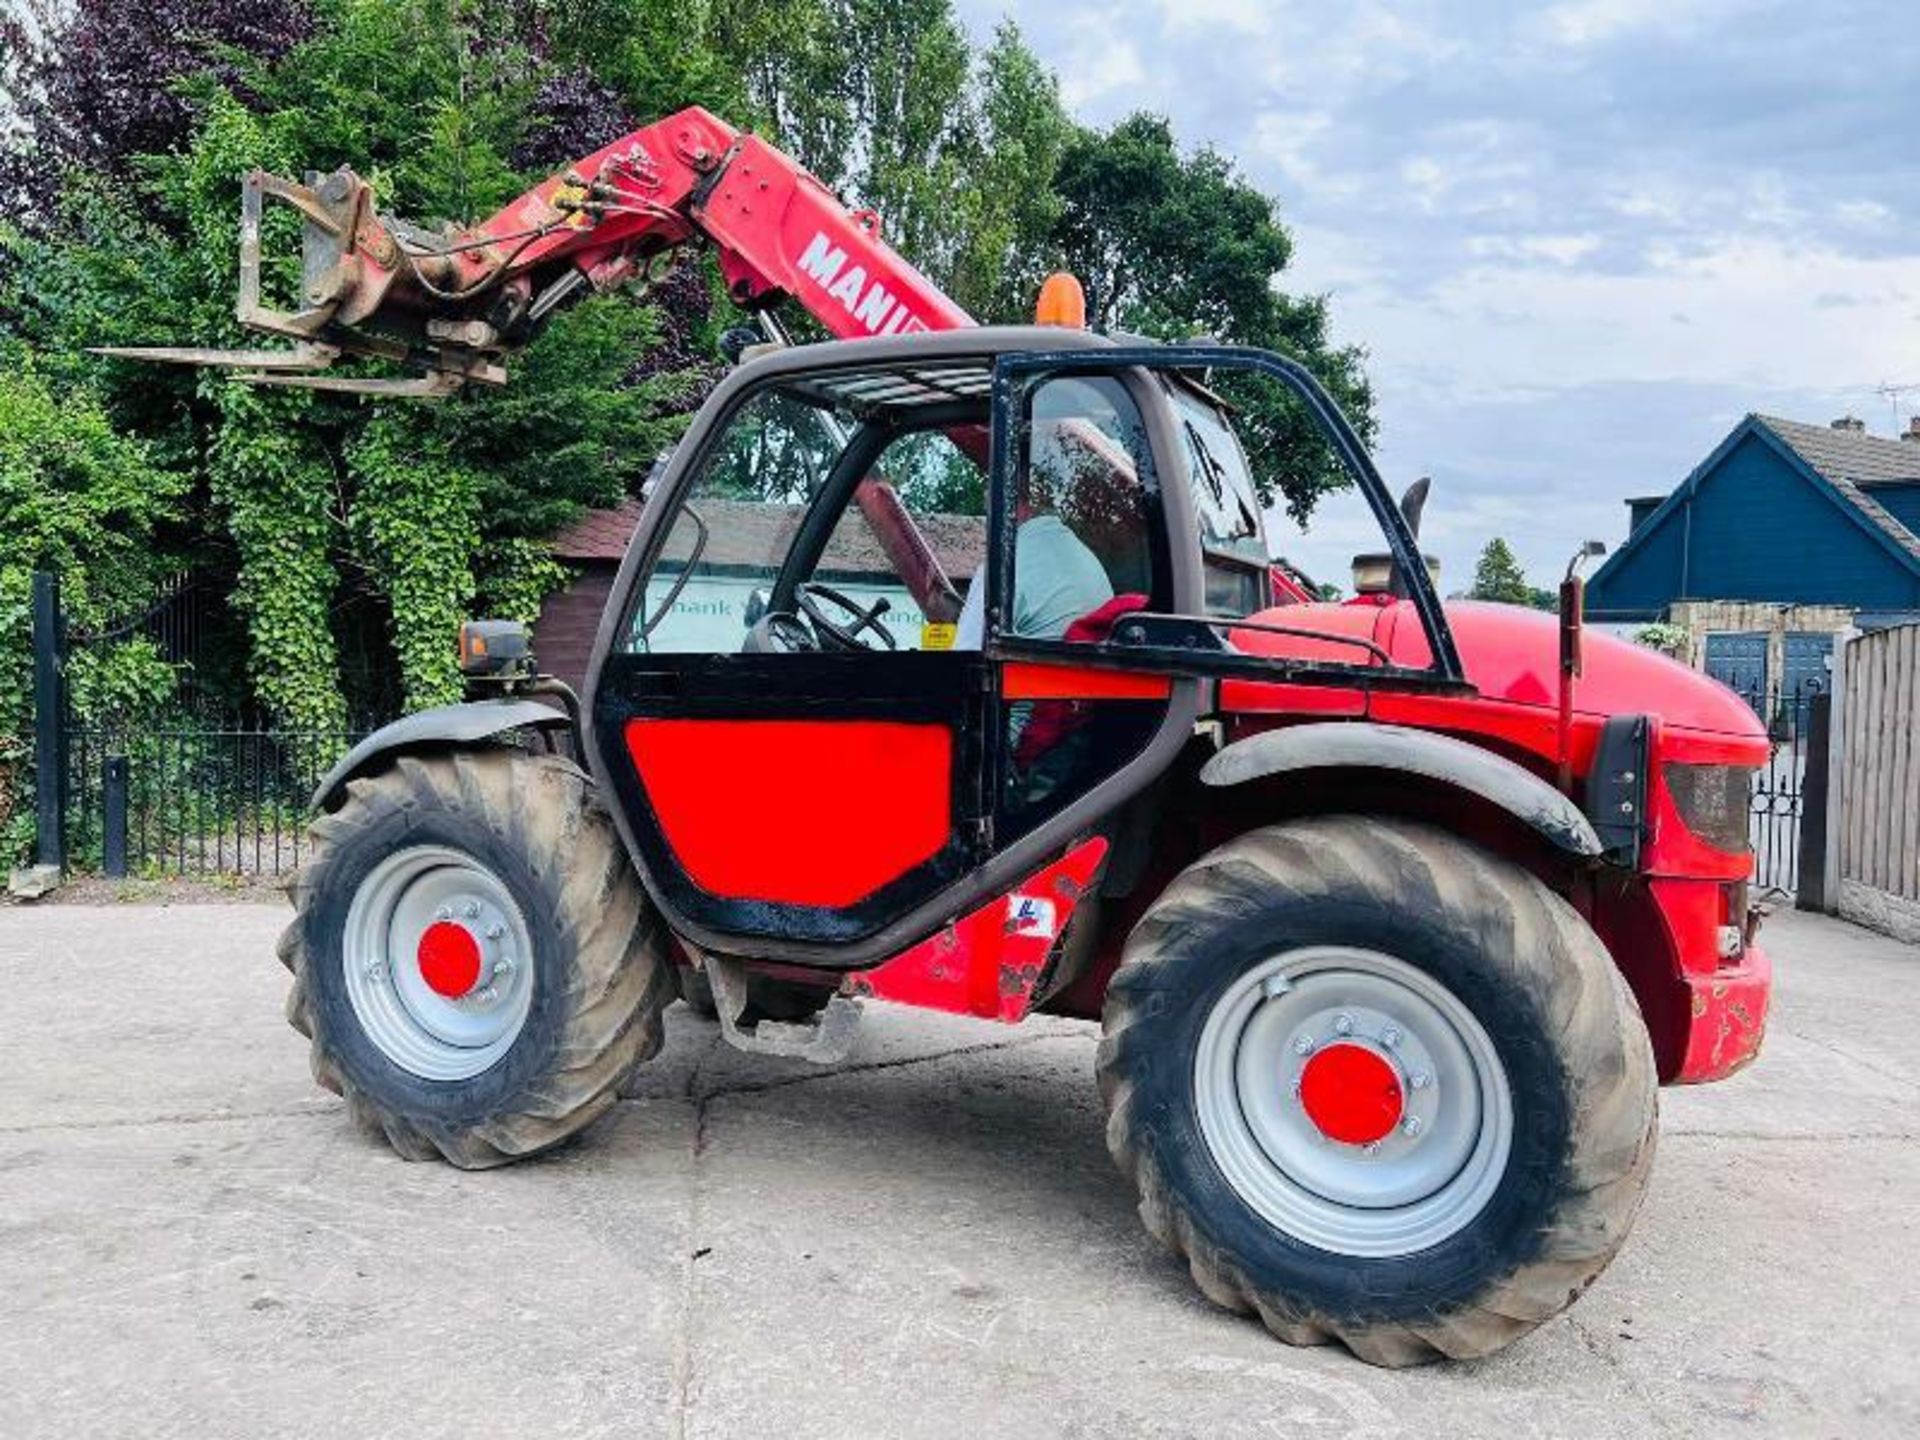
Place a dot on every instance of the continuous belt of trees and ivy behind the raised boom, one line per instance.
(350, 539)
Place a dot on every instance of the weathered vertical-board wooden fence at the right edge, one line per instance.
(1879, 765)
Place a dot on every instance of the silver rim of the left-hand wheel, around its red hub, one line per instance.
(425, 1032)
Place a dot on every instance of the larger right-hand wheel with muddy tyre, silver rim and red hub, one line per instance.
(1380, 1088)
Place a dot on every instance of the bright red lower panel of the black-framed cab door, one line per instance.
(838, 807)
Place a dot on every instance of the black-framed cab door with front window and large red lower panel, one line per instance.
(782, 786)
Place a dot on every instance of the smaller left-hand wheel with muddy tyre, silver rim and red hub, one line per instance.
(473, 957)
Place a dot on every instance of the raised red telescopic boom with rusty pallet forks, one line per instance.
(452, 304)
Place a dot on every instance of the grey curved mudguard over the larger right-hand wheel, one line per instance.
(1360, 746)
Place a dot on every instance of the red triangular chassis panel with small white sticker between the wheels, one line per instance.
(990, 963)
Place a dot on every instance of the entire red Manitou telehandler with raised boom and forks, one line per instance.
(949, 667)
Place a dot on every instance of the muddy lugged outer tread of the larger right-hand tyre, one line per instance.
(1552, 951)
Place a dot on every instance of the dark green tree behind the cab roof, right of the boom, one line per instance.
(1174, 247)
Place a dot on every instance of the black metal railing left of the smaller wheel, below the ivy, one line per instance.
(197, 798)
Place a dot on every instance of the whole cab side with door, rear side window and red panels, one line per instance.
(790, 794)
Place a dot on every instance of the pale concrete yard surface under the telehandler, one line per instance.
(926, 1241)
